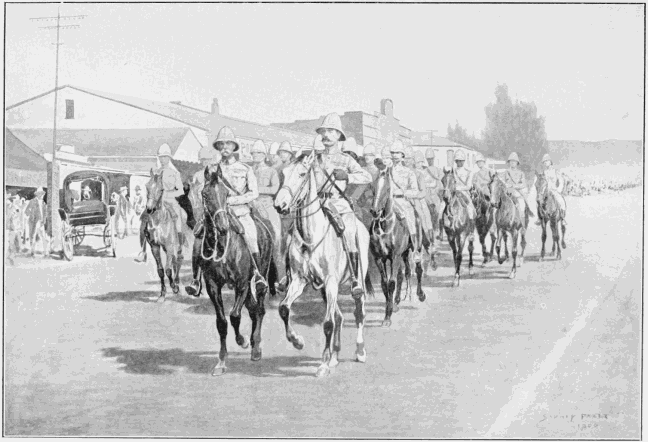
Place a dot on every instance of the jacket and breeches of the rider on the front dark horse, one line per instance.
(241, 178)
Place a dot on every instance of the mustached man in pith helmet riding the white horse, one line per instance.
(344, 170)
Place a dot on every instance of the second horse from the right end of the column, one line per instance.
(508, 219)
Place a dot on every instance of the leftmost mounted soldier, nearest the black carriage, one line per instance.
(172, 184)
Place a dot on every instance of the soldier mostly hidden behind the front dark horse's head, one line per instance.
(207, 157)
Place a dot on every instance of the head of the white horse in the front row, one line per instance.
(294, 189)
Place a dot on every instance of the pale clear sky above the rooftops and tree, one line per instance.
(582, 65)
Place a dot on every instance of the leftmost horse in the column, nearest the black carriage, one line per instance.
(160, 232)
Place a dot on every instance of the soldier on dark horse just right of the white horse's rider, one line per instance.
(406, 189)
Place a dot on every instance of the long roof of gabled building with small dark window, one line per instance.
(181, 113)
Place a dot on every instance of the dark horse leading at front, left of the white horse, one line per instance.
(225, 259)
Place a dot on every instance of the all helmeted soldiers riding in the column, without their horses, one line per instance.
(417, 192)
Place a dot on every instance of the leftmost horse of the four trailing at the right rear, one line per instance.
(456, 223)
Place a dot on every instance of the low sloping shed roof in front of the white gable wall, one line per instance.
(104, 142)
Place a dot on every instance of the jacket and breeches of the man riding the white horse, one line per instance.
(330, 161)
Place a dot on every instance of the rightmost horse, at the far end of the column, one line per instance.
(549, 211)
